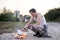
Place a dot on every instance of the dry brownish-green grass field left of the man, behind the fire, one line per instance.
(8, 27)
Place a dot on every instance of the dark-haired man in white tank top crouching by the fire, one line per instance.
(40, 28)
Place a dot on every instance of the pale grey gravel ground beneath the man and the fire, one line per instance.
(53, 31)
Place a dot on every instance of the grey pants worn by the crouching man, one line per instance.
(38, 28)
